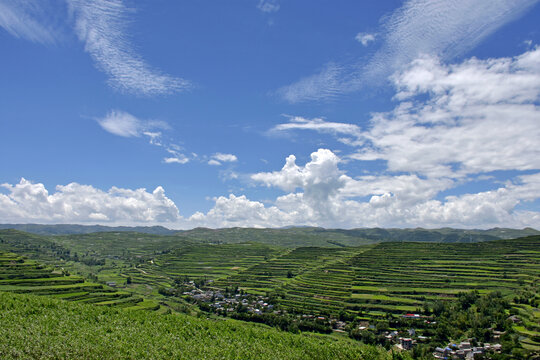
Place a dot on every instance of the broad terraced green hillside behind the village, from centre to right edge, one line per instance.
(398, 278)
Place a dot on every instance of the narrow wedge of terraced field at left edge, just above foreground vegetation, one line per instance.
(23, 276)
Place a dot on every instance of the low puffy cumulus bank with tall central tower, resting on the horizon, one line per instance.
(321, 194)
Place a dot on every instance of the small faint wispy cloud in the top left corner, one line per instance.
(30, 20)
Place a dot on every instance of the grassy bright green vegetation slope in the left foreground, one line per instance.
(44, 328)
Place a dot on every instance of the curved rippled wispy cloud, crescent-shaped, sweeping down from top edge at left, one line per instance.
(101, 26)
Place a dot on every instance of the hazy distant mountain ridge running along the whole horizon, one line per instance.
(291, 236)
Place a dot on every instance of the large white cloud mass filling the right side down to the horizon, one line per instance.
(453, 124)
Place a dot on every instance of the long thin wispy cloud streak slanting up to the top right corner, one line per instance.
(444, 28)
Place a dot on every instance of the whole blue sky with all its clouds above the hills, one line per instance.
(270, 113)
